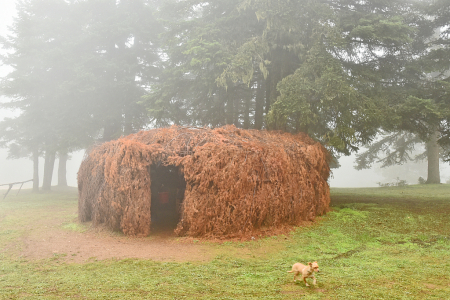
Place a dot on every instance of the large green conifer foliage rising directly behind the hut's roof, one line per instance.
(322, 67)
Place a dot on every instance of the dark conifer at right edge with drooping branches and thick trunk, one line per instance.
(418, 109)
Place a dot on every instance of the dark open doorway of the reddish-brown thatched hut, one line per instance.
(168, 187)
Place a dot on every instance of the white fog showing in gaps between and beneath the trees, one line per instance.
(15, 170)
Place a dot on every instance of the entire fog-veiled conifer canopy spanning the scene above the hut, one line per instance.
(338, 70)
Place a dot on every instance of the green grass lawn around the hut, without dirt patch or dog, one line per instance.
(378, 243)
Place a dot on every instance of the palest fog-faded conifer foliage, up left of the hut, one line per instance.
(79, 70)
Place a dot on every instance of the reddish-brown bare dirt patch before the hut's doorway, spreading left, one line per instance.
(46, 237)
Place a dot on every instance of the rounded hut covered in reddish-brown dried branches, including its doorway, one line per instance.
(205, 182)
